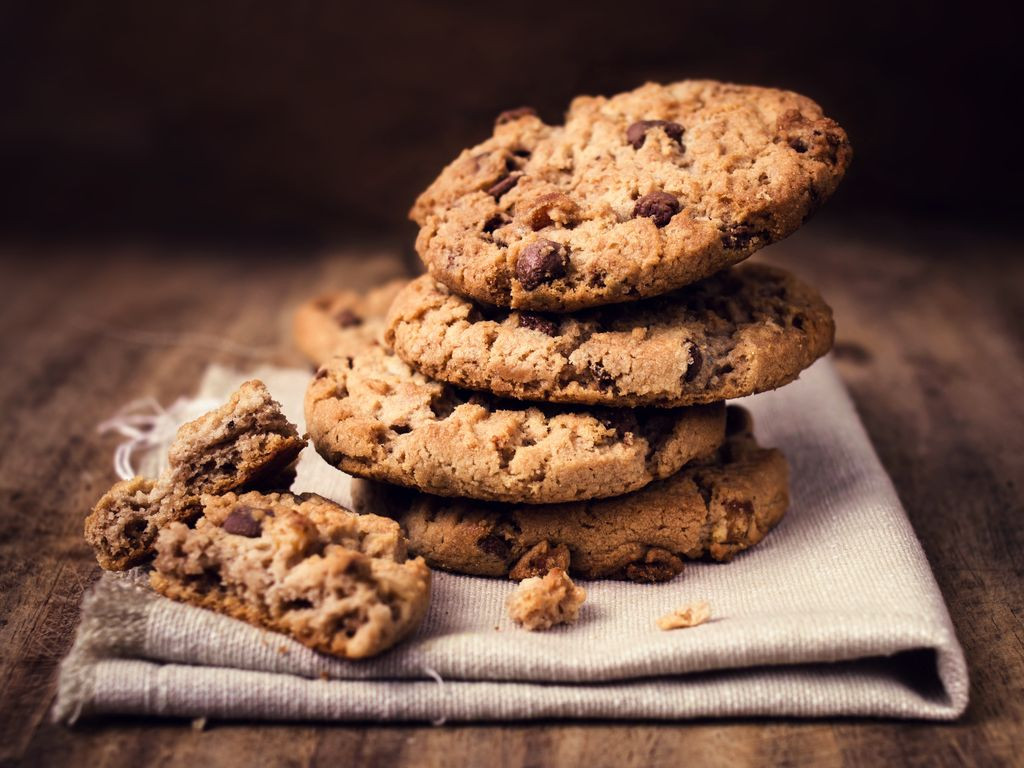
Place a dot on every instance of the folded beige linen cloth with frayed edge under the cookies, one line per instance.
(836, 613)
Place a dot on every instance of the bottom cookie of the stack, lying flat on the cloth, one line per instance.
(717, 510)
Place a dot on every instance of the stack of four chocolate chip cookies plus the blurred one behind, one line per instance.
(552, 395)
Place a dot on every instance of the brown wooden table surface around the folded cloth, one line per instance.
(929, 343)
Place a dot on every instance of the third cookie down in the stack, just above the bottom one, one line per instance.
(373, 417)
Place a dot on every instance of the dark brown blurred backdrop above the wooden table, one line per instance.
(318, 120)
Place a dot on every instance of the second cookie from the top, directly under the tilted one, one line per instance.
(743, 331)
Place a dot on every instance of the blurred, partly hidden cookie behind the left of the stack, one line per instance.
(344, 322)
